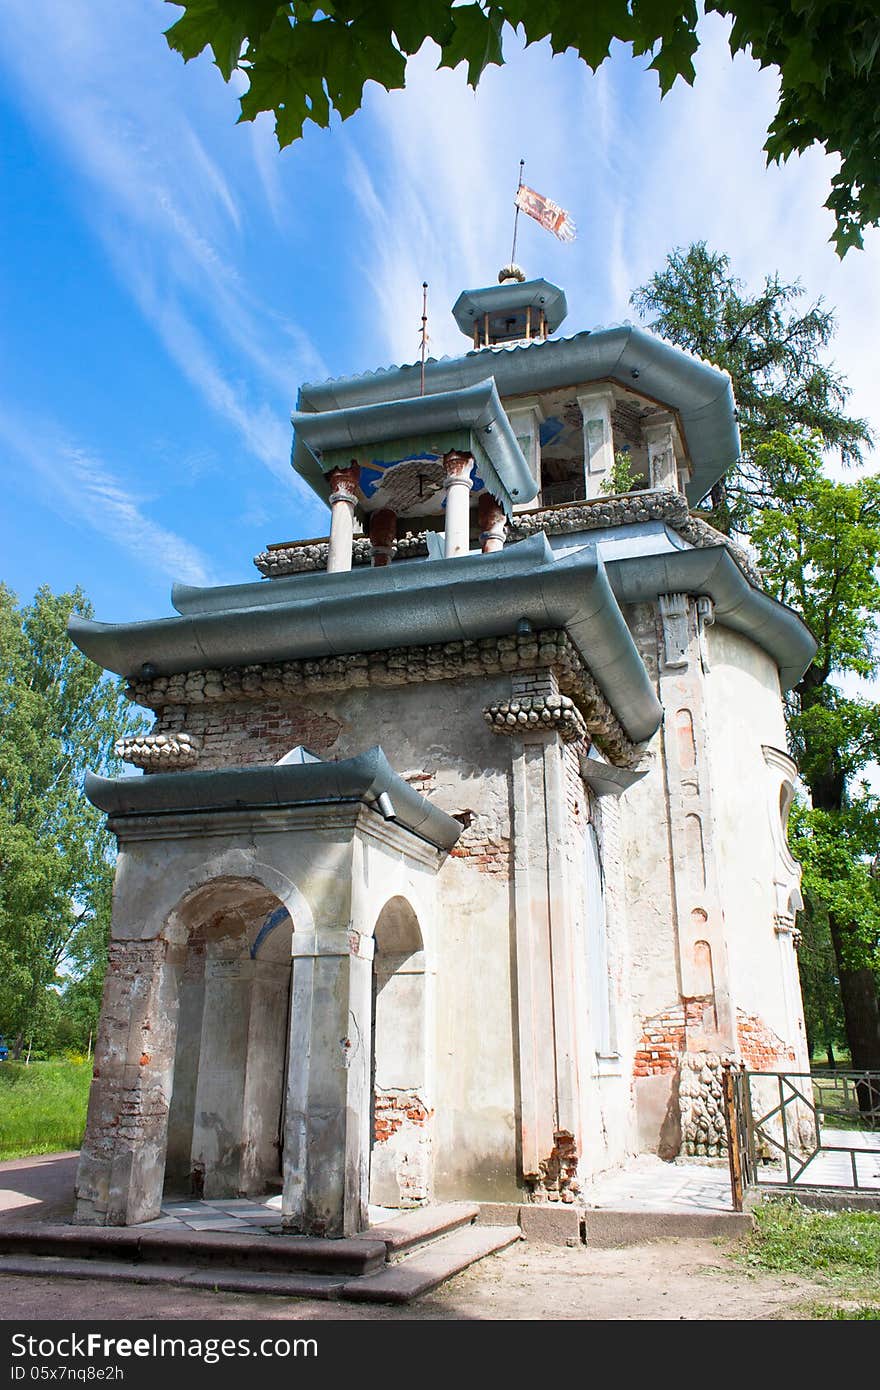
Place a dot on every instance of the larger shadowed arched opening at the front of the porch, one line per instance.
(226, 1122)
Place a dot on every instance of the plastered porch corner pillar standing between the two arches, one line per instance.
(327, 1127)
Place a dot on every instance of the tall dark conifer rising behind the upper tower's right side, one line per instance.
(775, 352)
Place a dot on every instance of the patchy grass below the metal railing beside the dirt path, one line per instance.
(842, 1249)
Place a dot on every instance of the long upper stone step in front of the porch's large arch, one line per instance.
(268, 1254)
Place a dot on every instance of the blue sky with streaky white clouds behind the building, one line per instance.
(169, 279)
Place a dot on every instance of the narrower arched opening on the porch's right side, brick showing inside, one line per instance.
(401, 1159)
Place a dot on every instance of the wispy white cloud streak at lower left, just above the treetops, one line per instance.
(77, 484)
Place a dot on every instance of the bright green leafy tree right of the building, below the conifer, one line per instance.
(820, 550)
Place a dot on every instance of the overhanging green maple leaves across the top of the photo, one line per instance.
(305, 60)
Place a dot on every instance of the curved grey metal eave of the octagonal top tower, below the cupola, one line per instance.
(700, 394)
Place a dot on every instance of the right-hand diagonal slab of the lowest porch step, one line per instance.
(432, 1266)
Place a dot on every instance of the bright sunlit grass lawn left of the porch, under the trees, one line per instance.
(42, 1107)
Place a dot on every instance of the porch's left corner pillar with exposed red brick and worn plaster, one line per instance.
(123, 1161)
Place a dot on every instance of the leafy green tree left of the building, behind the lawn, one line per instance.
(59, 718)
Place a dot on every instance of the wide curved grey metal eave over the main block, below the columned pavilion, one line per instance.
(415, 604)
